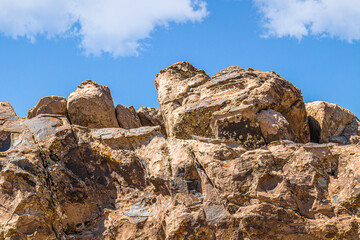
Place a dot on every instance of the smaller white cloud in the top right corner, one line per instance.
(299, 18)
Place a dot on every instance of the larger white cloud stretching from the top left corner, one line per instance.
(111, 26)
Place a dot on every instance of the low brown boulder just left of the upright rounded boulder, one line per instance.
(49, 105)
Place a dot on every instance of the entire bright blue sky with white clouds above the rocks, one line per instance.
(55, 45)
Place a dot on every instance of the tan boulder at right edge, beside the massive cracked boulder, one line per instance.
(331, 123)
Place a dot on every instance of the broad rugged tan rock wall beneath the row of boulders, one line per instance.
(64, 181)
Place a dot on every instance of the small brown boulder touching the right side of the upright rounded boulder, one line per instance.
(127, 117)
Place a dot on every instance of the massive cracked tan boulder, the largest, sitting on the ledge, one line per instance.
(227, 105)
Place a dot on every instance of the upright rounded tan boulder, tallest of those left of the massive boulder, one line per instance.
(91, 105)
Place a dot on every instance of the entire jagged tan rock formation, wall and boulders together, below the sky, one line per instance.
(82, 176)
